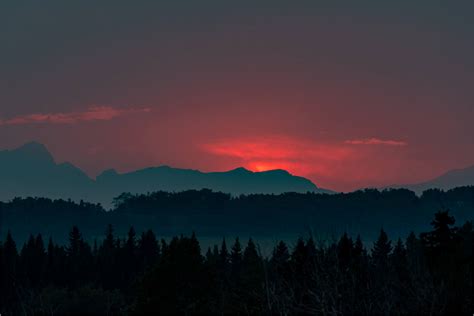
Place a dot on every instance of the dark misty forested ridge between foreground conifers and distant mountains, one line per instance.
(211, 213)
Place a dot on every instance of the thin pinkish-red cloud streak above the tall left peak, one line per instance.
(93, 113)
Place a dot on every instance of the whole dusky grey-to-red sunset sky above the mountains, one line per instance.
(348, 94)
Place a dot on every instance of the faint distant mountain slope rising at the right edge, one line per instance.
(449, 180)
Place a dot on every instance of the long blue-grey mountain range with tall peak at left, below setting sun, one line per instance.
(31, 170)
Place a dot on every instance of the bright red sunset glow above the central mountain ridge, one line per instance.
(318, 161)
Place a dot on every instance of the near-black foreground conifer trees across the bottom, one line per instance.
(139, 274)
